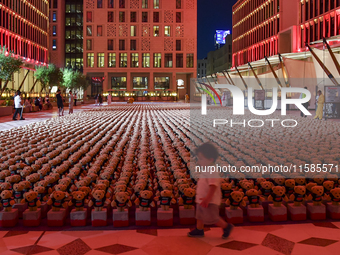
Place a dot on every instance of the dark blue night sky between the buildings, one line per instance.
(212, 15)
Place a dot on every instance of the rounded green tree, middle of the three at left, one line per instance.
(48, 76)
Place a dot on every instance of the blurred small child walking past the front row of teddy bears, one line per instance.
(208, 194)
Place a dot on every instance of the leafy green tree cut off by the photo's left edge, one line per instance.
(9, 64)
